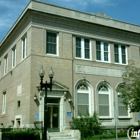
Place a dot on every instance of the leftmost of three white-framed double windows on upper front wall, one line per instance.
(82, 48)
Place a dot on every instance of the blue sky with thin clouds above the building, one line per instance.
(123, 10)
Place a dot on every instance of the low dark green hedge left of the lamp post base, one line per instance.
(21, 135)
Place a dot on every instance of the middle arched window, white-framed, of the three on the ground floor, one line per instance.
(104, 100)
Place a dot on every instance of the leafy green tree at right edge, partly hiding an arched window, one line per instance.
(130, 88)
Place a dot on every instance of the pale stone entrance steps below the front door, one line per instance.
(66, 135)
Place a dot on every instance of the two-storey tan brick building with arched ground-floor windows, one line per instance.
(88, 53)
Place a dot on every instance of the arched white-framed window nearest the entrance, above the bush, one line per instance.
(82, 107)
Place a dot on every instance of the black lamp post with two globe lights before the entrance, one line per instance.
(46, 86)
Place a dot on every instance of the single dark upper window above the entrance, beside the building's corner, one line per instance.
(51, 46)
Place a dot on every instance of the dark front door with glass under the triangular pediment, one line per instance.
(53, 114)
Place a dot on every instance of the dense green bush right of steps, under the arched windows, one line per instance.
(88, 125)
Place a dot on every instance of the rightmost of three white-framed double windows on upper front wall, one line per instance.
(120, 54)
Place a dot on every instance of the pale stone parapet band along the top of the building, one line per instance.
(100, 19)
